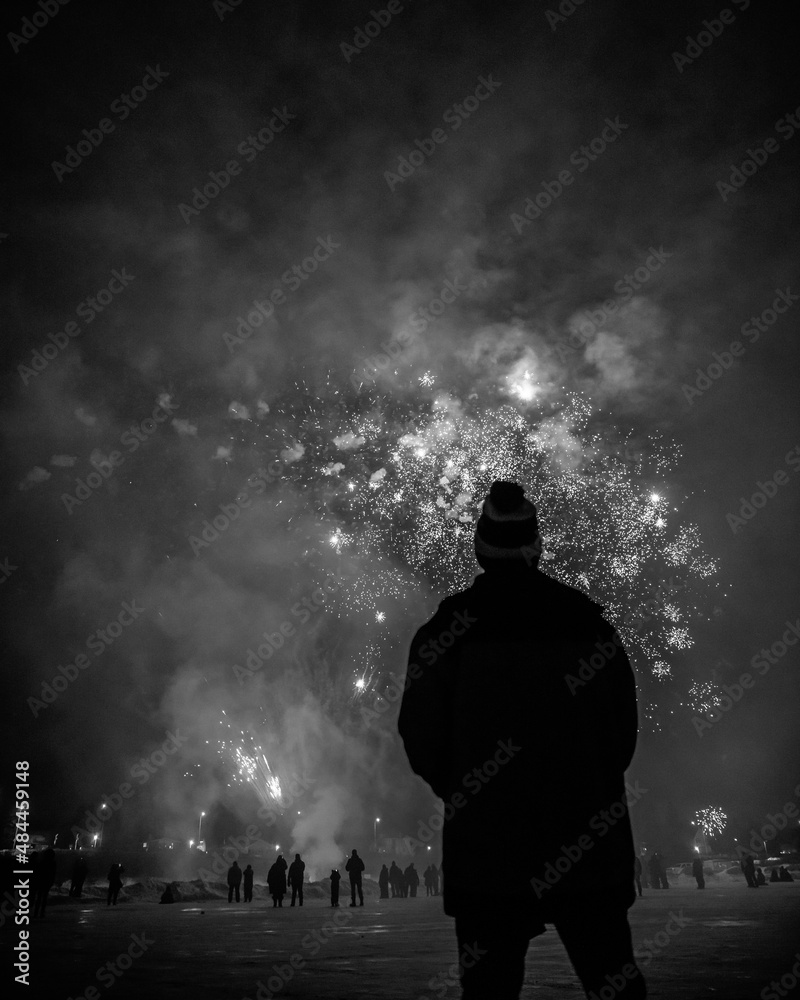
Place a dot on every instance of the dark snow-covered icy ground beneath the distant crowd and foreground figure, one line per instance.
(728, 943)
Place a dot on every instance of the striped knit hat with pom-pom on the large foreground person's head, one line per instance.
(508, 527)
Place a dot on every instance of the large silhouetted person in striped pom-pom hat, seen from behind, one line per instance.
(520, 712)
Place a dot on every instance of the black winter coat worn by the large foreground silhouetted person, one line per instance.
(524, 738)
